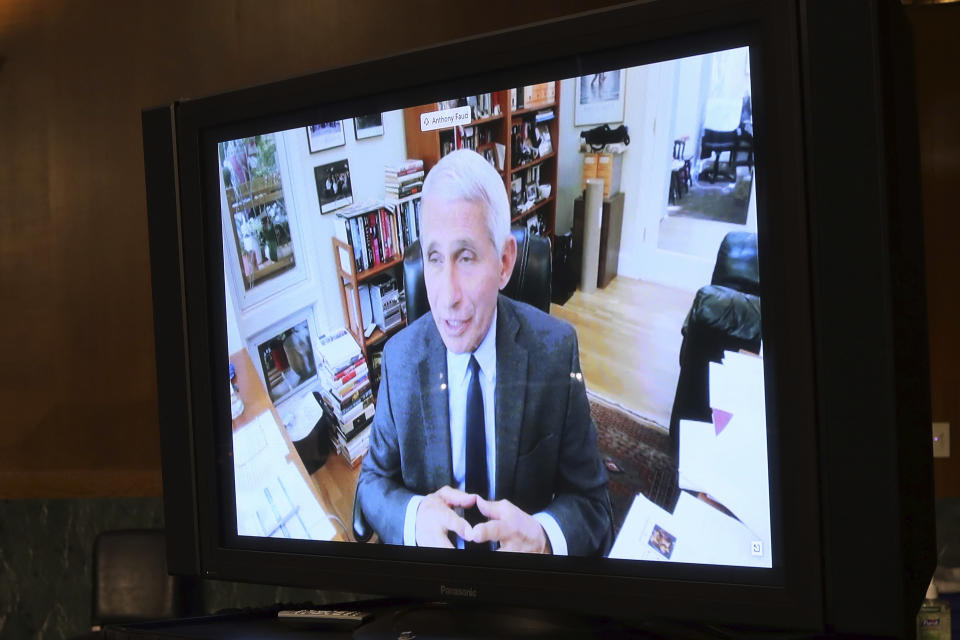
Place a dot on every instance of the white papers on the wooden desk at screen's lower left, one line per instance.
(273, 497)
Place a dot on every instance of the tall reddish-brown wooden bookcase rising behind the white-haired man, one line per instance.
(427, 145)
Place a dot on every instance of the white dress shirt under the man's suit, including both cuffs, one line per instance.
(458, 379)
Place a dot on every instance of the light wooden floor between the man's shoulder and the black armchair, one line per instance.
(630, 342)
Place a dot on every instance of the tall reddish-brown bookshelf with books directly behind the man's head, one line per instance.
(503, 128)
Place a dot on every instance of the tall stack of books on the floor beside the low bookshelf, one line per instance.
(346, 394)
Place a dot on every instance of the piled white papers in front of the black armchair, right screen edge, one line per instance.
(730, 465)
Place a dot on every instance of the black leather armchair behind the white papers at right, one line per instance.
(724, 316)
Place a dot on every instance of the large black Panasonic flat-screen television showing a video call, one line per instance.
(690, 168)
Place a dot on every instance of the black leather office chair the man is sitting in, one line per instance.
(530, 283)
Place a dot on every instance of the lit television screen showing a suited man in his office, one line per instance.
(653, 449)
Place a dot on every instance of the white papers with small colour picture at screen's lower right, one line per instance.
(695, 532)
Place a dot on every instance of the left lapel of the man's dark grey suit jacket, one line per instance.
(434, 406)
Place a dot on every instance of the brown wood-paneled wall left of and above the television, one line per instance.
(77, 382)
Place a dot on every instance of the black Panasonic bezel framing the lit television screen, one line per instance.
(663, 30)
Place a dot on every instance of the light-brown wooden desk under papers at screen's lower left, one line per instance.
(331, 488)
